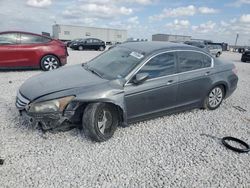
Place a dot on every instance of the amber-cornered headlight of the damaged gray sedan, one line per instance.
(51, 106)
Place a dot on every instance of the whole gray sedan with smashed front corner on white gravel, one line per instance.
(129, 83)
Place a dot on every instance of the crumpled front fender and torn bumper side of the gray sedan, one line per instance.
(109, 92)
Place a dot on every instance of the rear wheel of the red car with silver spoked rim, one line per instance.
(49, 62)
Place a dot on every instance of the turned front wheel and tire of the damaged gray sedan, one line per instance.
(99, 121)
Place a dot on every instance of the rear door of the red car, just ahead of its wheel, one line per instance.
(28, 50)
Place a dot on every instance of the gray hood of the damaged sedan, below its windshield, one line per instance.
(62, 79)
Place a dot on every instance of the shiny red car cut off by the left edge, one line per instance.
(29, 50)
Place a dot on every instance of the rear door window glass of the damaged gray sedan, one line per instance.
(189, 61)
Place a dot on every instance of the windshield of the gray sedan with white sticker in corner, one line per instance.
(115, 63)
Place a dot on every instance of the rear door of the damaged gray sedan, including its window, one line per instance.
(195, 70)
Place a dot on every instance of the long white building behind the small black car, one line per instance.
(70, 32)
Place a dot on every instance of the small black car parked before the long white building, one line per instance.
(88, 44)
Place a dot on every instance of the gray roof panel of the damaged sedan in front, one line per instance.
(153, 46)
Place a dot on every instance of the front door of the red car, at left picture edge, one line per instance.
(8, 47)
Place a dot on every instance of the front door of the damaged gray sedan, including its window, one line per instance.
(158, 92)
